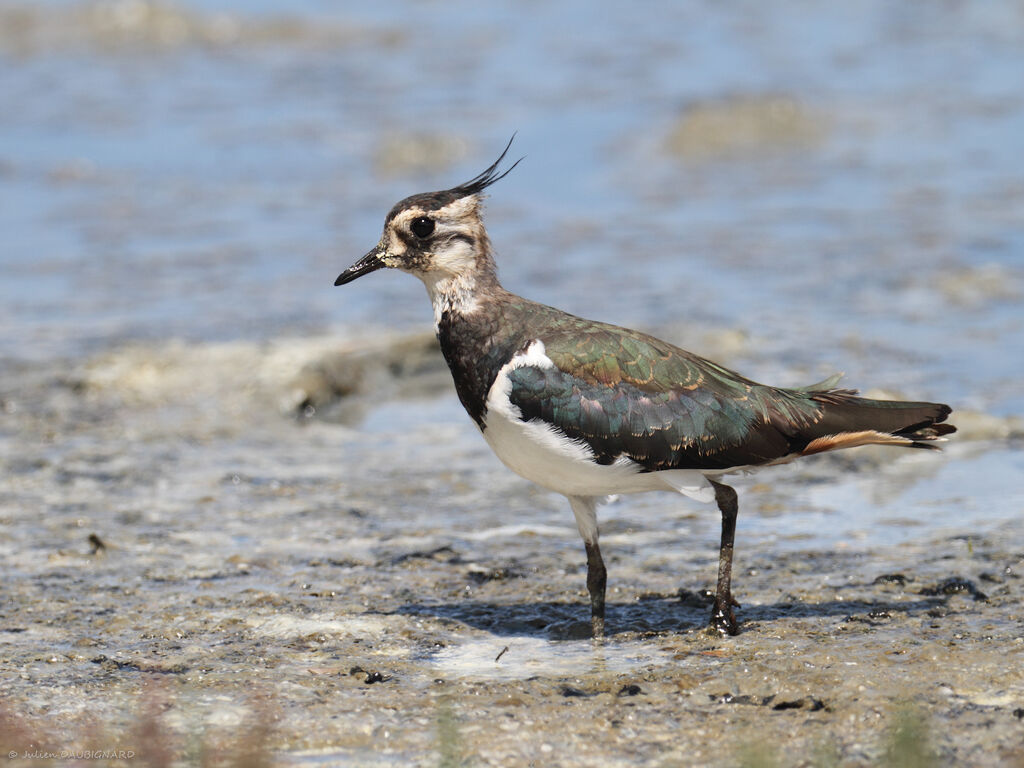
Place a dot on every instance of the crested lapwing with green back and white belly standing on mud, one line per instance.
(591, 410)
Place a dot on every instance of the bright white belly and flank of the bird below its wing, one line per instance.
(545, 455)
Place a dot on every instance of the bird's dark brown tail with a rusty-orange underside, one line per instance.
(848, 421)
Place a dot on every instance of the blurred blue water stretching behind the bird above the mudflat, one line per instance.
(841, 186)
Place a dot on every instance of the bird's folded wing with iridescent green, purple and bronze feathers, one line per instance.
(626, 394)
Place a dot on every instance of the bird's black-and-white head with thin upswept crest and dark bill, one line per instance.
(436, 236)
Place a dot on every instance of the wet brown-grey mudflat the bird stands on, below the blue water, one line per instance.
(224, 568)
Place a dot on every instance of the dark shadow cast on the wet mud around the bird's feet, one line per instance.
(565, 621)
